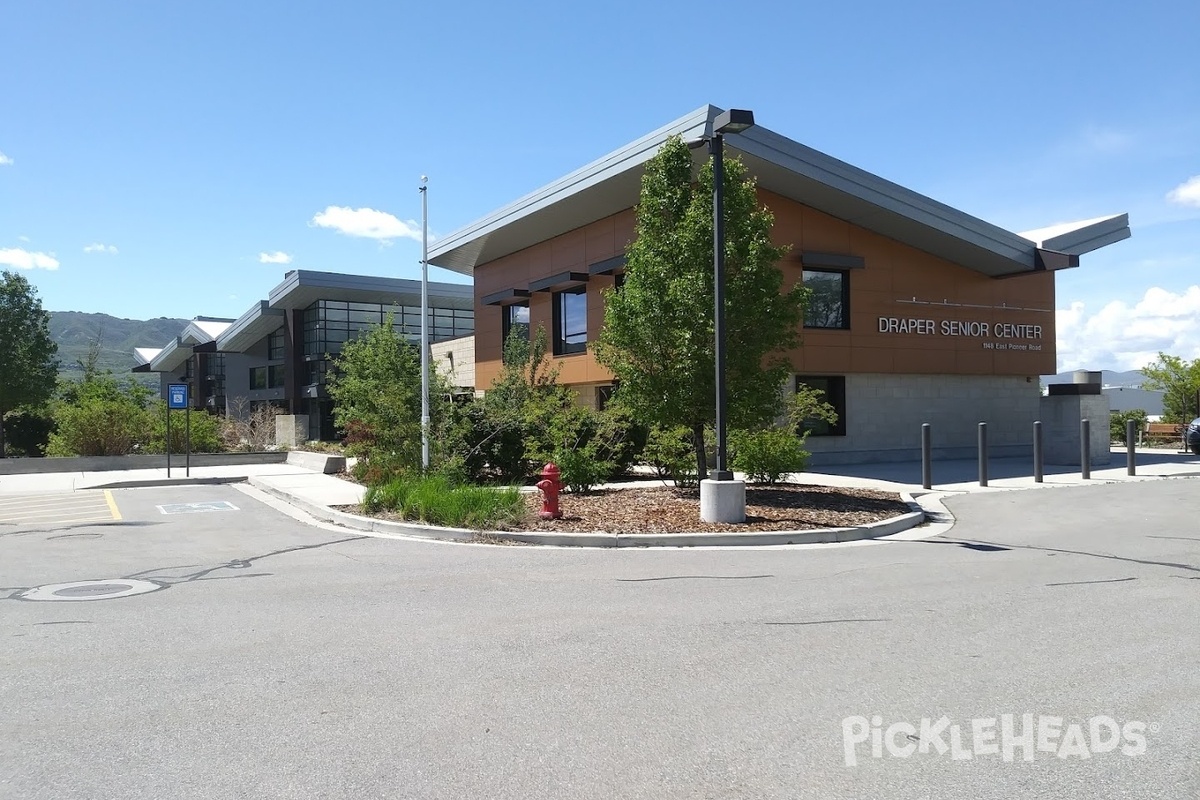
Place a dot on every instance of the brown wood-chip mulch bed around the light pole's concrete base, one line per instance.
(667, 510)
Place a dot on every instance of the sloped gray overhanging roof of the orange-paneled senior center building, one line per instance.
(782, 166)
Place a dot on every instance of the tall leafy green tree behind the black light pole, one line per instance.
(658, 332)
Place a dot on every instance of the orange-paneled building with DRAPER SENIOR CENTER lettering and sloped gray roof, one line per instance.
(920, 312)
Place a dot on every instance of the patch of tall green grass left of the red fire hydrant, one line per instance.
(435, 501)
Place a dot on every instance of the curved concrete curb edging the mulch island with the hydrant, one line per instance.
(915, 518)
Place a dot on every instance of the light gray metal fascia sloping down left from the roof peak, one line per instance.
(692, 127)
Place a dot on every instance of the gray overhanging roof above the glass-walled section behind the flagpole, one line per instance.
(302, 288)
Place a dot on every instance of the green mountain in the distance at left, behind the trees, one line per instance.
(75, 332)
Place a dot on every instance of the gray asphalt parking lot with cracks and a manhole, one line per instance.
(230, 651)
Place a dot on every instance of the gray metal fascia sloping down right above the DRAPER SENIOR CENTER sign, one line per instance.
(839, 176)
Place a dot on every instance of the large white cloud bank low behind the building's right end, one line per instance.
(1124, 338)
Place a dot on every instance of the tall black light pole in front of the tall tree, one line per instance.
(731, 122)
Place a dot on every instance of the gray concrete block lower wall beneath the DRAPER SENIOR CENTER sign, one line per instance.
(885, 414)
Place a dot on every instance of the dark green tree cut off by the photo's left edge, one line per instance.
(28, 368)
